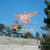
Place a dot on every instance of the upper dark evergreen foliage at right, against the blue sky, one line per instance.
(47, 12)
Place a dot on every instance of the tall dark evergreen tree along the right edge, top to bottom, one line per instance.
(46, 38)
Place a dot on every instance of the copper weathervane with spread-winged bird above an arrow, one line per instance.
(24, 18)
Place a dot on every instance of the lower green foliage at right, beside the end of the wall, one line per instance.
(46, 42)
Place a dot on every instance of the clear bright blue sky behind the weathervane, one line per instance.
(10, 7)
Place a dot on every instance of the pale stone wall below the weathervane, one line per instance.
(10, 43)
